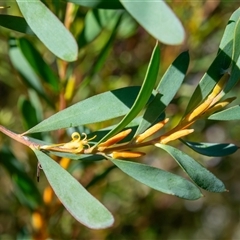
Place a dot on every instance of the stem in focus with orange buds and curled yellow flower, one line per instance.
(112, 147)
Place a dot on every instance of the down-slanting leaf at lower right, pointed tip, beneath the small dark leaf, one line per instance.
(200, 175)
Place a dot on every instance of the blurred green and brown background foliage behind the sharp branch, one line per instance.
(114, 52)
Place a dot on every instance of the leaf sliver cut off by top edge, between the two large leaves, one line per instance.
(113, 4)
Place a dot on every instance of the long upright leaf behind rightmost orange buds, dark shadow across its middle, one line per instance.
(219, 66)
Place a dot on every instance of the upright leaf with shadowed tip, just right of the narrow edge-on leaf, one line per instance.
(167, 89)
